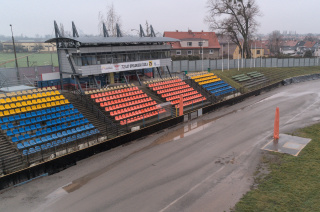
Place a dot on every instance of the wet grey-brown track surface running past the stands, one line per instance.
(203, 165)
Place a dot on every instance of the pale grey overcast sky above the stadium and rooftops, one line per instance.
(33, 17)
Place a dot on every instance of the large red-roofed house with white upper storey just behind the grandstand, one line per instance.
(194, 43)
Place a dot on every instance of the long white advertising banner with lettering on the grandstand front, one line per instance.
(108, 68)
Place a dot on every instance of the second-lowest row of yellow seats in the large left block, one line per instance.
(30, 102)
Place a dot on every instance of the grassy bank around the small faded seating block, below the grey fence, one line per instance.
(273, 74)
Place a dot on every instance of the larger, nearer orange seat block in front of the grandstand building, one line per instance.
(126, 104)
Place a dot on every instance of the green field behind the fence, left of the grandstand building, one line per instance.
(35, 59)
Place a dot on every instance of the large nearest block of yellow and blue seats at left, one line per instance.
(41, 119)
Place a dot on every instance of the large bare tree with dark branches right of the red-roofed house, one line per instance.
(236, 19)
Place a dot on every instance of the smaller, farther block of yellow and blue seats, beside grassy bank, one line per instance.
(212, 83)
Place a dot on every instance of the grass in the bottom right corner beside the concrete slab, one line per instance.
(293, 183)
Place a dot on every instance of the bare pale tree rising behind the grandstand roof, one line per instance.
(110, 18)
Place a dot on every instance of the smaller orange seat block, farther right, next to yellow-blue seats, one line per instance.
(171, 90)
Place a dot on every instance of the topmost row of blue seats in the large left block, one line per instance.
(36, 113)
